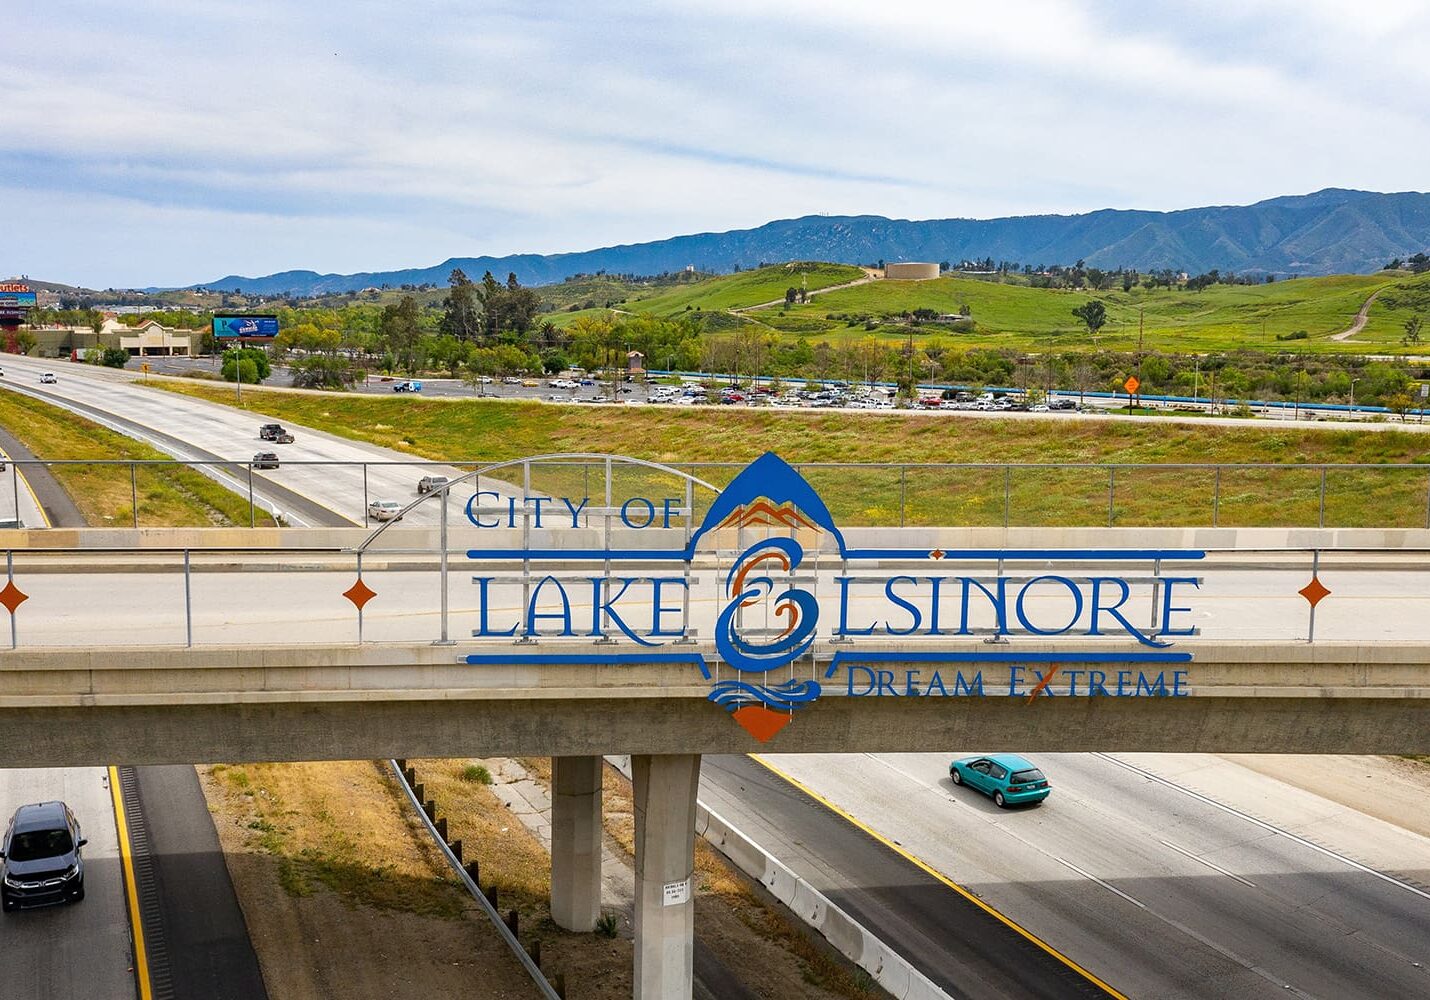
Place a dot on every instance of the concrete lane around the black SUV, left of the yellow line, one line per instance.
(77, 951)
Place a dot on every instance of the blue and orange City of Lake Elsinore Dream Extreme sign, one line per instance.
(767, 534)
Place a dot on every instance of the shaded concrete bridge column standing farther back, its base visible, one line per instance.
(576, 842)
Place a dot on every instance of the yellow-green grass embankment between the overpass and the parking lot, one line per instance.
(488, 431)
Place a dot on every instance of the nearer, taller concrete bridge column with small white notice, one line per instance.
(666, 789)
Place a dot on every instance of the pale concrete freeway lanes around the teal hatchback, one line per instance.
(1112, 859)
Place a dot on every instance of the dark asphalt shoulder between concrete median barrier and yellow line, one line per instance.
(947, 938)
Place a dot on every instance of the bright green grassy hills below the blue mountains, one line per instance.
(1015, 315)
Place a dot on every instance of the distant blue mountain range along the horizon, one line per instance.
(1333, 231)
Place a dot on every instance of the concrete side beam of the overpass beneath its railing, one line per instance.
(66, 707)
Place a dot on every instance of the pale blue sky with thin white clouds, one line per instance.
(165, 142)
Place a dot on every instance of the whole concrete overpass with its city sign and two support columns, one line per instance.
(673, 629)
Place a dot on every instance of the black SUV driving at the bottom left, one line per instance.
(41, 861)
